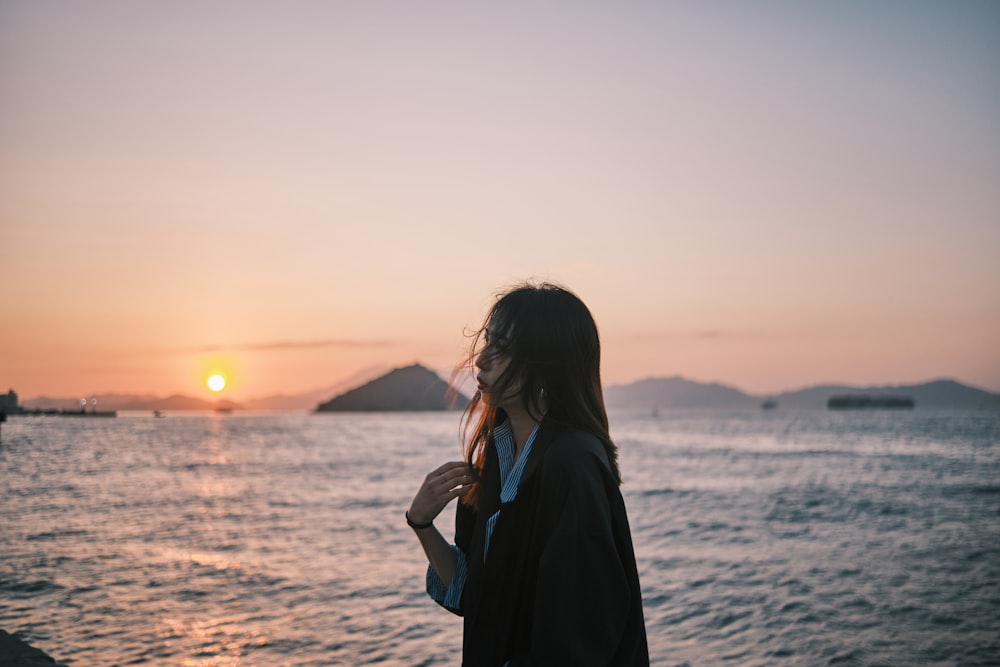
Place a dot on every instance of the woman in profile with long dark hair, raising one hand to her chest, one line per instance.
(542, 567)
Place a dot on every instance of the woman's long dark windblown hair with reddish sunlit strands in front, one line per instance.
(554, 349)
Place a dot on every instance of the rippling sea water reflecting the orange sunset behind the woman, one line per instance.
(770, 538)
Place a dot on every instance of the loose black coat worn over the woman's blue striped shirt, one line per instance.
(560, 585)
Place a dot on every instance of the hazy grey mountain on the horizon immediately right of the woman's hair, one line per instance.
(676, 392)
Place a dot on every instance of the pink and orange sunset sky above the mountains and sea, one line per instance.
(769, 194)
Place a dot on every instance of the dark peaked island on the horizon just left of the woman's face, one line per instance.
(412, 388)
